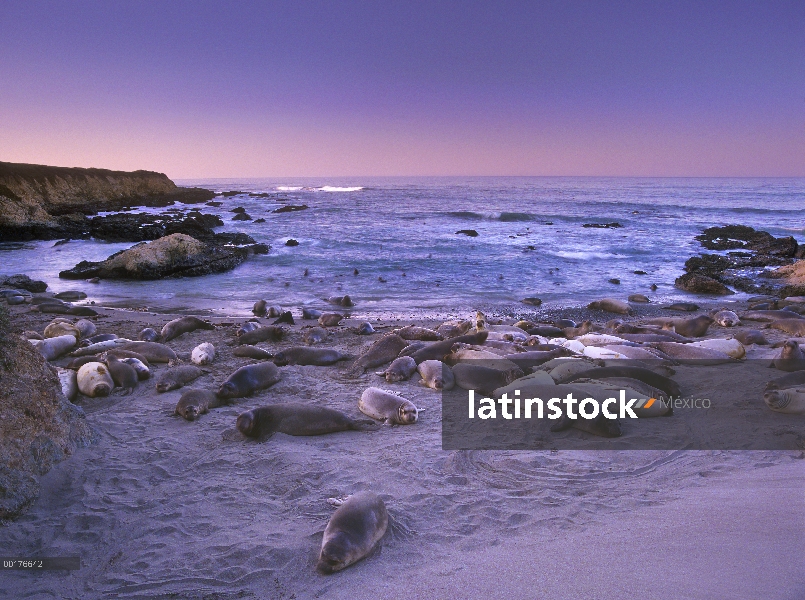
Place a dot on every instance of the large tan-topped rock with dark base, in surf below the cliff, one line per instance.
(176, 255)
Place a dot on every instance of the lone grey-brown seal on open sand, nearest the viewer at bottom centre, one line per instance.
(354, 529)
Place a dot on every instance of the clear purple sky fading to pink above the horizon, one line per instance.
(203, 89)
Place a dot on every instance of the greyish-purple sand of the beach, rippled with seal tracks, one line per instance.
(163, 507)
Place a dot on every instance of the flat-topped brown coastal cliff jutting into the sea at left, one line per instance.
(43, 202)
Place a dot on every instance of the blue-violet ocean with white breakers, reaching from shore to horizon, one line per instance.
(400, 234)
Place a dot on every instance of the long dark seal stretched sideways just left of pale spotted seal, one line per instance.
(296, 419)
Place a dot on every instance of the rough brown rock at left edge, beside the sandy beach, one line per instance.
(38, 425)
